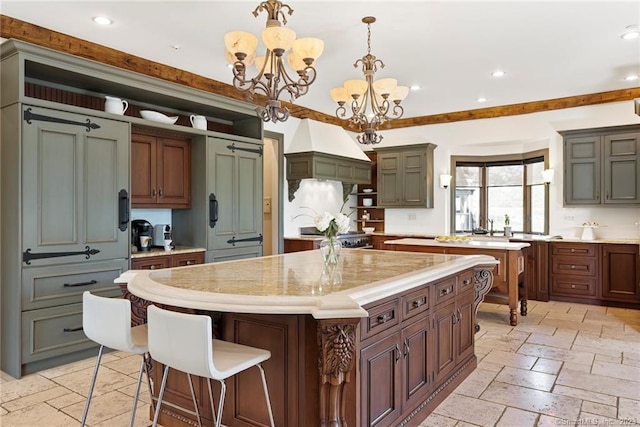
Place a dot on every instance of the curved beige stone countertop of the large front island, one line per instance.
(296, 283)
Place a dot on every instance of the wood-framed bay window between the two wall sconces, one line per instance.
(489, 188)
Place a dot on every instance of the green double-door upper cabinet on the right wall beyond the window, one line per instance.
(602, 166)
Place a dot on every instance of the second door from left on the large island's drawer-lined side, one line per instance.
(416, 367)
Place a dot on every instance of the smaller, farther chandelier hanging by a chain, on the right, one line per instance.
(383, 96)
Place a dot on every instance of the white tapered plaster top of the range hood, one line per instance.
(314, 136)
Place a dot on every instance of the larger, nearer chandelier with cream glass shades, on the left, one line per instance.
(272, 78)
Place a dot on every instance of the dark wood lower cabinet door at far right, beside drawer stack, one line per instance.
(620, 272)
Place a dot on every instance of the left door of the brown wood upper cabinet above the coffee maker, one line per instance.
(144, 187)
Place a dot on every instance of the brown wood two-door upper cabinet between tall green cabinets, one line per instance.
(160, 171)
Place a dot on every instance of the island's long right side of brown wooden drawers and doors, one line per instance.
(405, 356)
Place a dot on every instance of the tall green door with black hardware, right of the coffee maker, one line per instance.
(234, 185)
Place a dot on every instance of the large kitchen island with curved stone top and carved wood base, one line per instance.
(380, 338)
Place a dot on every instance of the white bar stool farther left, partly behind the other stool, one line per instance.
(107, 321)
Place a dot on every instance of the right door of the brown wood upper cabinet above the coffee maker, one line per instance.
(173, 164)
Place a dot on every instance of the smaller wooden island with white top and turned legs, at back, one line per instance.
(507, 279)
